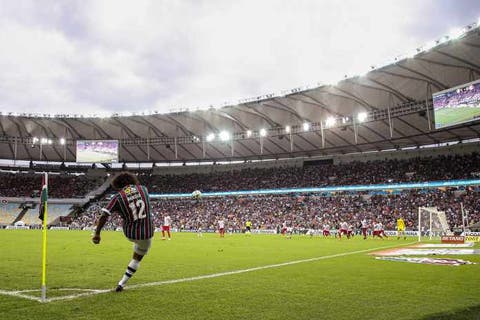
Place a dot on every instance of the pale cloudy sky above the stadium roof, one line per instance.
(102, 56)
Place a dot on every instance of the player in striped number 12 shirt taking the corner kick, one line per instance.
(131, 202)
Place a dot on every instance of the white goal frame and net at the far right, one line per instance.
(432, 222)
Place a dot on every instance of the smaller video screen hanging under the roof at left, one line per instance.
(100, 151)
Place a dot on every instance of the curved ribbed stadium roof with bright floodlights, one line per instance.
(389, 107)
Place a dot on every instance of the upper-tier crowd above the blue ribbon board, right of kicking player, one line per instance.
(373, 172)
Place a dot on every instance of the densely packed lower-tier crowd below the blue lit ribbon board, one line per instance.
(304, 212)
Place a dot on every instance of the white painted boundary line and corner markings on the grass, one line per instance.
(91, 292)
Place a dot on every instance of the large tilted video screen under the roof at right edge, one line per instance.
(457, 105)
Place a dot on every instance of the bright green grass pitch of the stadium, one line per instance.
(350, 286)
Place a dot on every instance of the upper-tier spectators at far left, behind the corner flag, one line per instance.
(60, 186)
